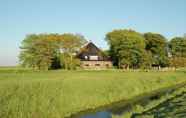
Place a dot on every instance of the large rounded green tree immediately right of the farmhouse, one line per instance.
(127, 48)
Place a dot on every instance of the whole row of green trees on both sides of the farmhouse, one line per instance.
(128, 49)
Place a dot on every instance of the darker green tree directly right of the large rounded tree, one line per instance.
(156, 45)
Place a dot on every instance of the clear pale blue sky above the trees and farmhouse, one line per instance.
(91, 18)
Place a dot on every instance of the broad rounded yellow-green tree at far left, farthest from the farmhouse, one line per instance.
(38, 51)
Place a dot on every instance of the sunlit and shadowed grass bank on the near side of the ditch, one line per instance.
(147, 104)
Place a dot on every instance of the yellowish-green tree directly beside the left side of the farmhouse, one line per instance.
(70, 45)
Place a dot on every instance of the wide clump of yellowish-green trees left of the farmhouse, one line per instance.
(43, 51)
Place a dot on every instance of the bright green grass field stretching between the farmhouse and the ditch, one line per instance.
(57, 94)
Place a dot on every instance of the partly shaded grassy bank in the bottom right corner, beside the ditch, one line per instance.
(147, 105)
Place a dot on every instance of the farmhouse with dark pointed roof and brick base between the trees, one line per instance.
(92, 57)
